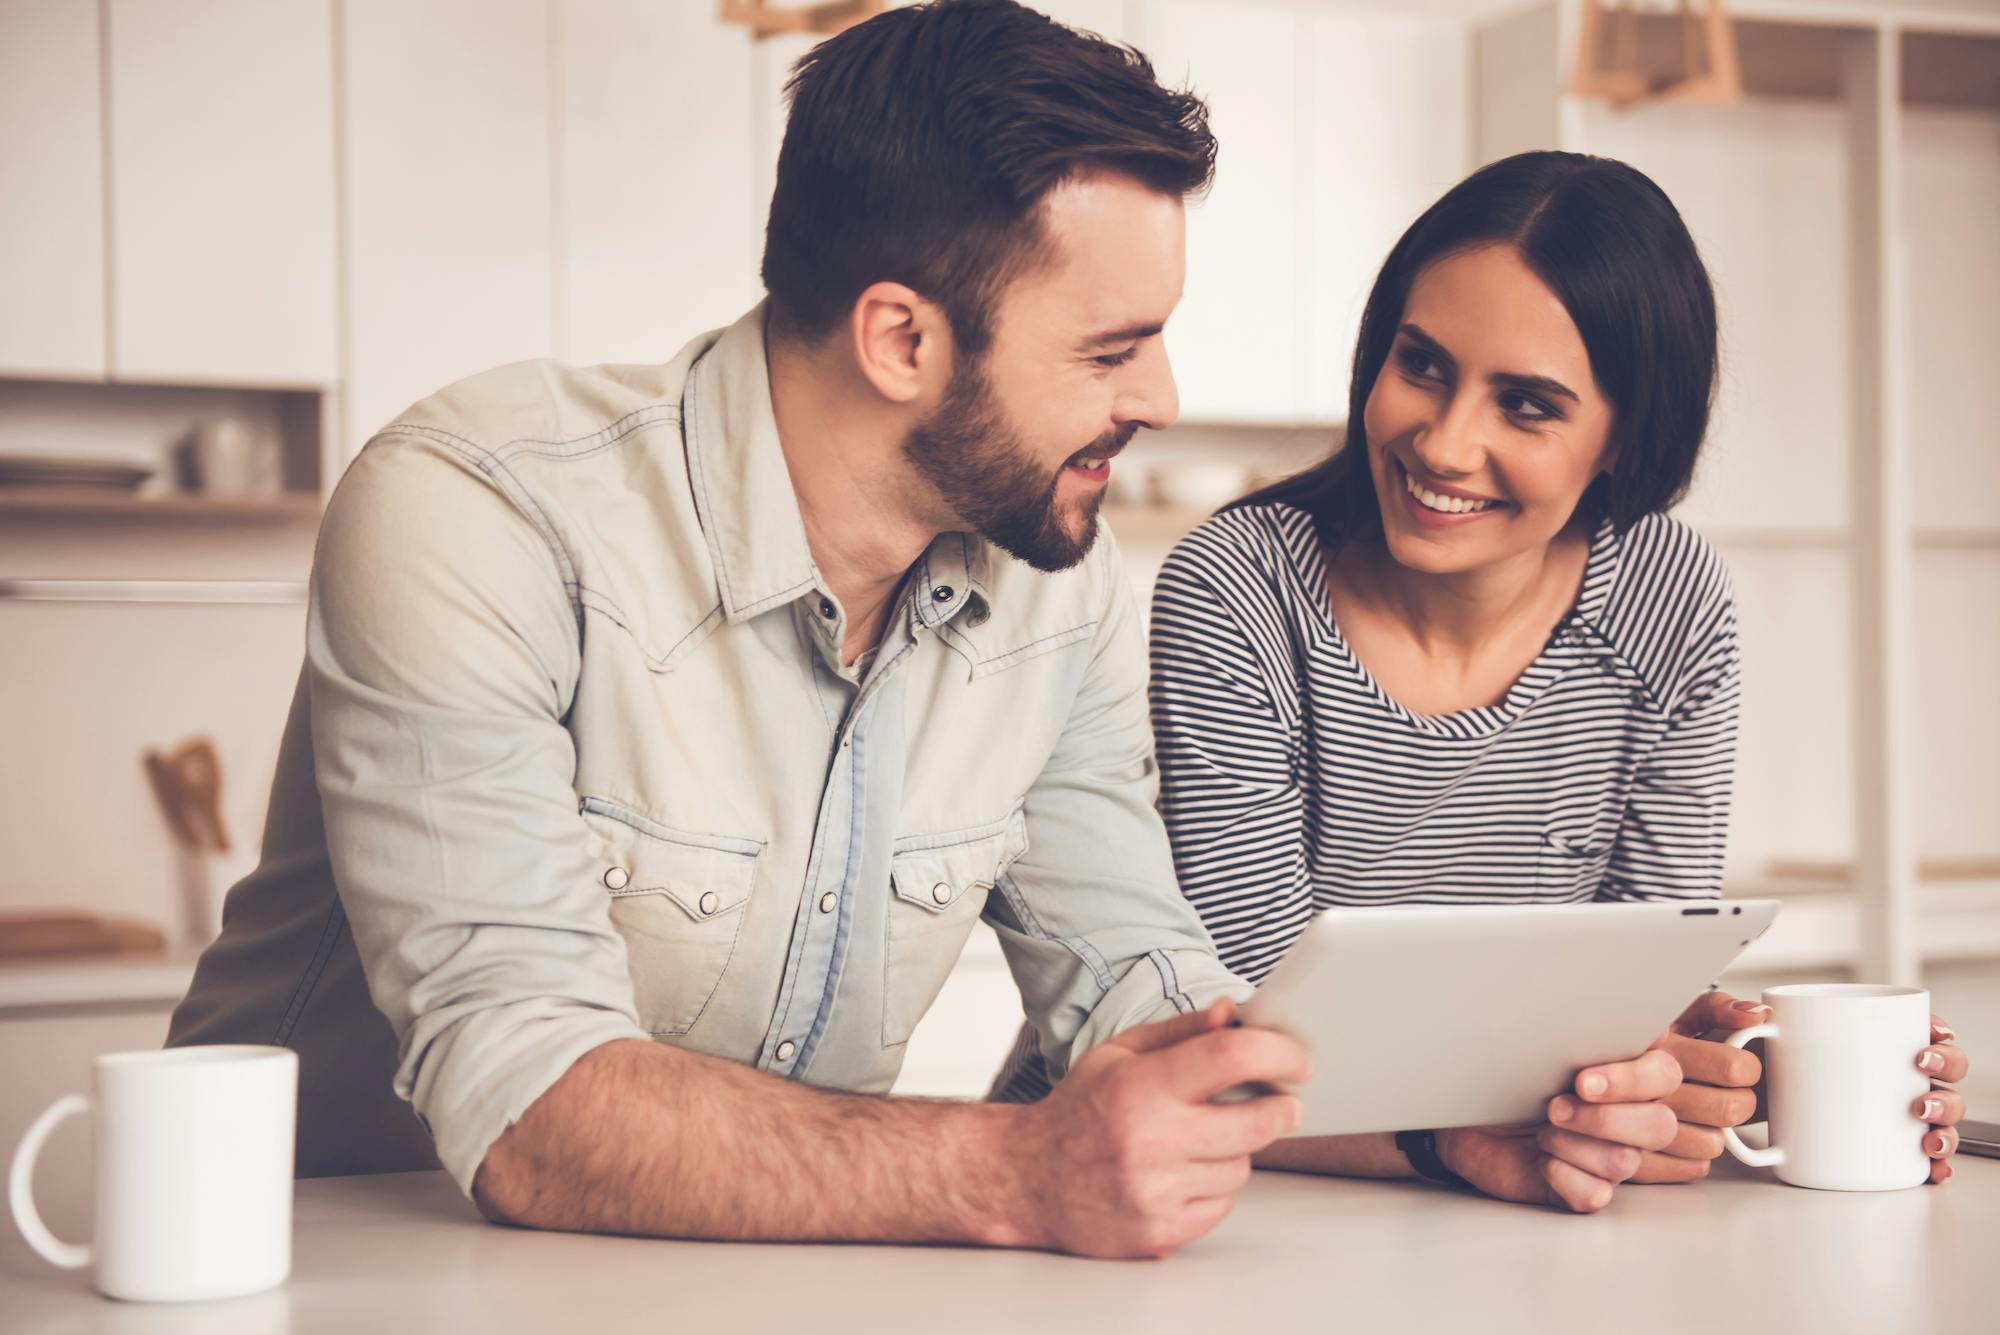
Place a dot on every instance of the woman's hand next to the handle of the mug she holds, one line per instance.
(1719, 1088)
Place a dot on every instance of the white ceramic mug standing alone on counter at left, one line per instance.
(195, 1174)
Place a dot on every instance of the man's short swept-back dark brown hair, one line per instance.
(923, 141)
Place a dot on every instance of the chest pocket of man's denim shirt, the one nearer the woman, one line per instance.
(939, 886)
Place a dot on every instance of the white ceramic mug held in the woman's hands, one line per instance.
(1843, 1086)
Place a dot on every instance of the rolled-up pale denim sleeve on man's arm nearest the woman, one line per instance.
(1091, 918)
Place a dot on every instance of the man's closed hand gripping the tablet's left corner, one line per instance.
(1129, 1158)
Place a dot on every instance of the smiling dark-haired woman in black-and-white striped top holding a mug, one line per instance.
(1471, 661)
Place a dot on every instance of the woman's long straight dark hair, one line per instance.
(1615, 251)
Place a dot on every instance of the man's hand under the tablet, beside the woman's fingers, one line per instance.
(1593, 1140)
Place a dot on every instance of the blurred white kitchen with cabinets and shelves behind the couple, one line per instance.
(241, 235)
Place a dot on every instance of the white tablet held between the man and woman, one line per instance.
(1477, 1016)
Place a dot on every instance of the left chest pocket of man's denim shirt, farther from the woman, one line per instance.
(679, 900)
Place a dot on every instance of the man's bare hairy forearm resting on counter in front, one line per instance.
(643, 1138)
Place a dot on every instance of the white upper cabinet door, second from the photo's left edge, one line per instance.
(223, 191)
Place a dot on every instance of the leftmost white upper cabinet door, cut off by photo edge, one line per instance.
(53, 197)
